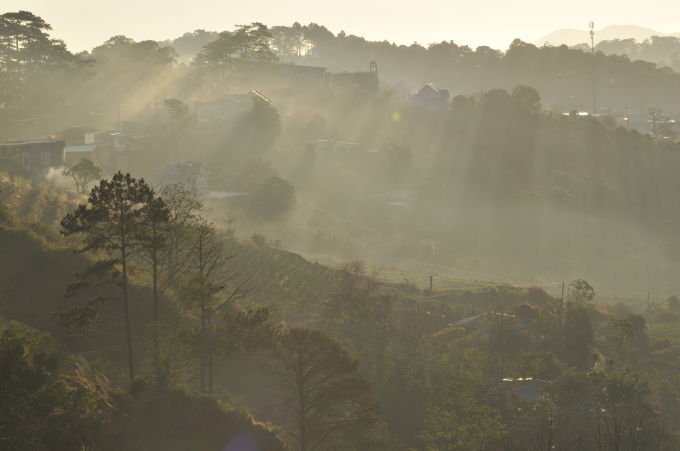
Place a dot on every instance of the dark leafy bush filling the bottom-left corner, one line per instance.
(39, 410)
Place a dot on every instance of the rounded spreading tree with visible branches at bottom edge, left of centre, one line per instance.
(332, 405)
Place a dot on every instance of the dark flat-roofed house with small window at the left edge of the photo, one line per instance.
(38, 157)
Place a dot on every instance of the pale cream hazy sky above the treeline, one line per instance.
(86, 23)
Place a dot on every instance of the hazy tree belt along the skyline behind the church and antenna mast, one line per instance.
(557, 72)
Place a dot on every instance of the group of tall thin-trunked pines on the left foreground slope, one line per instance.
(165, 242)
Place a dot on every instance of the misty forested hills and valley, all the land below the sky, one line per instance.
(257, 313)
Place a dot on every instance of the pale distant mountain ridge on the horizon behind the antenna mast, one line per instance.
(572, 37)
